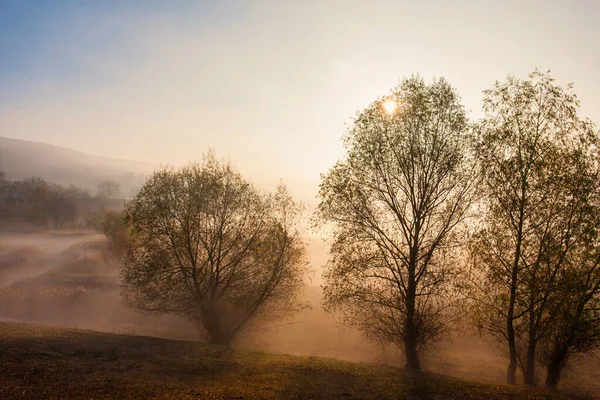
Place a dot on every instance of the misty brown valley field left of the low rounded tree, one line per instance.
(62, 278)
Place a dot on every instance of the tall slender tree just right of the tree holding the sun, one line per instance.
(531, 210)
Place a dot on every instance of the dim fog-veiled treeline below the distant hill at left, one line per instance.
(38, 201)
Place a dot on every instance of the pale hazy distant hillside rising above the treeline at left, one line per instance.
(21, 159)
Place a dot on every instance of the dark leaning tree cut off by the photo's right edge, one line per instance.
(575, 309)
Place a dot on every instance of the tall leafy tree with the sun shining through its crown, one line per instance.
(395, 203)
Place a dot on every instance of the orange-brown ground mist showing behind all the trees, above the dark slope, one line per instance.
(62, 279)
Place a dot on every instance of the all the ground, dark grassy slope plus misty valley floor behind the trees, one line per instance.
(61, 279)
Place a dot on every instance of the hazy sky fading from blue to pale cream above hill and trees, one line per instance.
(270, 84)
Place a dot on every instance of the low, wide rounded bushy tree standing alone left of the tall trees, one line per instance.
(206, 245)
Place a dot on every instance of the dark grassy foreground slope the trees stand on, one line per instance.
(39, 362)
